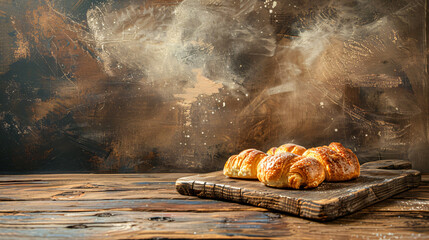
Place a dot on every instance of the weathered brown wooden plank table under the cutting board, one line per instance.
(132, 206)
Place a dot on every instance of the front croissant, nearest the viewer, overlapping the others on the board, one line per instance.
(288, 170)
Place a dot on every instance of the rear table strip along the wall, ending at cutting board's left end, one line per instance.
(84, 187)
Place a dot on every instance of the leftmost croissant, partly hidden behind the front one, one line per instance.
(244, 165)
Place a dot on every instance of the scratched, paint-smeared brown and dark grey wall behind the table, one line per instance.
(136, 86)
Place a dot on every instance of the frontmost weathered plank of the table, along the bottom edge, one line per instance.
(244, 224)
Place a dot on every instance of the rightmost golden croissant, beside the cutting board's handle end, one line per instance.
(340, 163)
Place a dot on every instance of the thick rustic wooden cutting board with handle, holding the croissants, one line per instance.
(378, 181)
